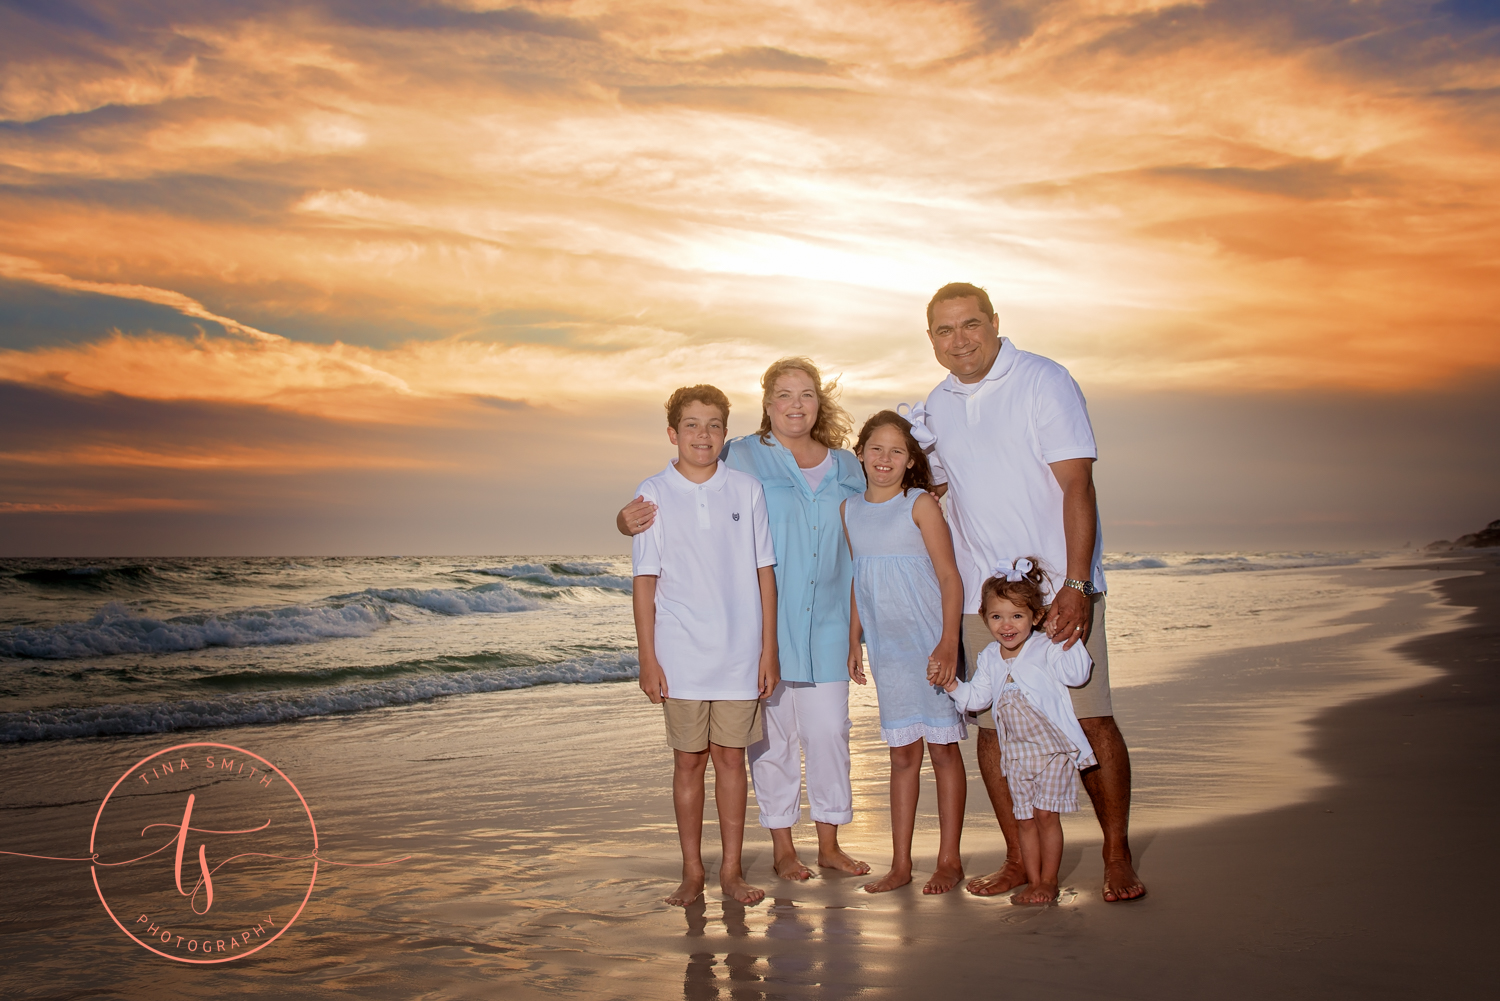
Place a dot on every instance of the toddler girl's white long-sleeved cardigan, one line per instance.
(1043, 672)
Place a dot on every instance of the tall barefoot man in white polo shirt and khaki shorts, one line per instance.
(1016, 448)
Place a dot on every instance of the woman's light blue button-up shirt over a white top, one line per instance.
(814, 570)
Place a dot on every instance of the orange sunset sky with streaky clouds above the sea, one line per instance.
(368, 277)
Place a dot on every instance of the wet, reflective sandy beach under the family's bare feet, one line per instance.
(1313, 814)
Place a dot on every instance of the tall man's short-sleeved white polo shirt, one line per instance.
(995, 442)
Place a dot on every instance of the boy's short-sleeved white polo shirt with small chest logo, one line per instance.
(706, 549)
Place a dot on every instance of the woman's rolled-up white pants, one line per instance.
(812, 720)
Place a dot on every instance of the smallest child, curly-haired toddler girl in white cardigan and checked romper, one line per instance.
(1022, 679)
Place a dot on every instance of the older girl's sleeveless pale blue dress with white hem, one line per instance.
(901, 610)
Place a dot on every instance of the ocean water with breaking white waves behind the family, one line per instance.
(103, 648)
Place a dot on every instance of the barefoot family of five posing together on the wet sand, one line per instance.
(766, 568)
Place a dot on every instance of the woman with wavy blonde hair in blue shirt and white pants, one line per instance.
(799, 458)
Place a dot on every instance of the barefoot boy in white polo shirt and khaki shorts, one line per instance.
(704, 595)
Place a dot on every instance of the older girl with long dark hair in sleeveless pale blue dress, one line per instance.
(907, 604)
